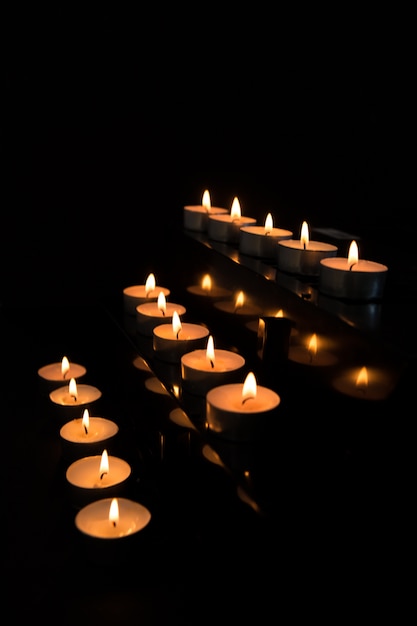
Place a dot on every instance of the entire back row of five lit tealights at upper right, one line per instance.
(341, 277)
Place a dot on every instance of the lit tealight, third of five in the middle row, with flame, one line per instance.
(171, 341)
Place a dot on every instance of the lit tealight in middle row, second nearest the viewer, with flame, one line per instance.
(204, 369)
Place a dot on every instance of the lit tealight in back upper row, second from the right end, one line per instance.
(302, 256)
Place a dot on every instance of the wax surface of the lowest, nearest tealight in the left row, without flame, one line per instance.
(93, 519)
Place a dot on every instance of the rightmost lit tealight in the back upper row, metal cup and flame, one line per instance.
(352, 278)
